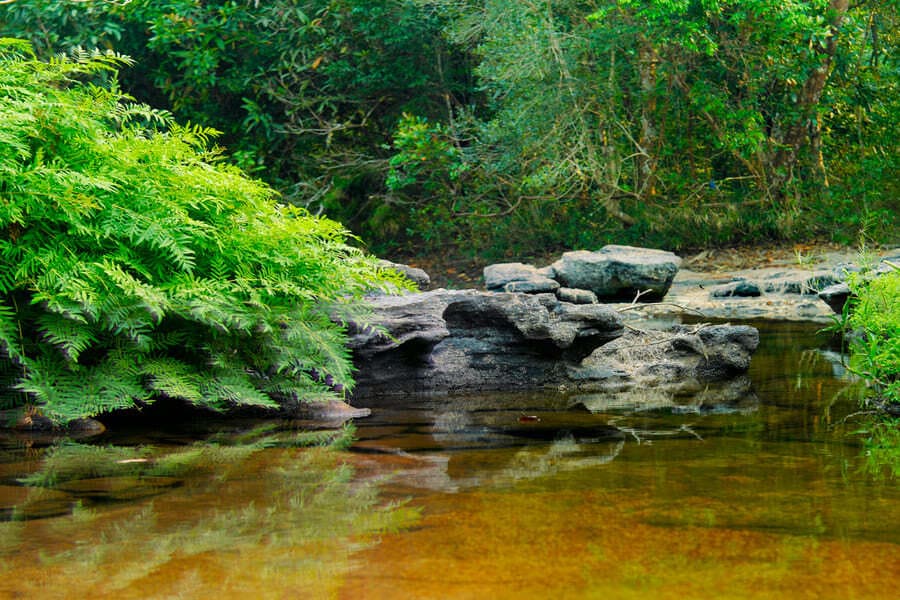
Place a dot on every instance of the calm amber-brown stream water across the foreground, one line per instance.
(765, 497)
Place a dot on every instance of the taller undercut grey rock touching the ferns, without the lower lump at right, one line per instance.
(467, 340)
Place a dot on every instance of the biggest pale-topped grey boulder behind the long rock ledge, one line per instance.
(619, 272)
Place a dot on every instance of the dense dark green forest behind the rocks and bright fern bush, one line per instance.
(522, 126)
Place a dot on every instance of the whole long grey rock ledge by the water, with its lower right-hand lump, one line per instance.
(465, 341)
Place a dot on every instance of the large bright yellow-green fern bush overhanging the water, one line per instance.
(137, 264)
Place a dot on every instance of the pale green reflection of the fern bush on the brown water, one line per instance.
(255, 520)
